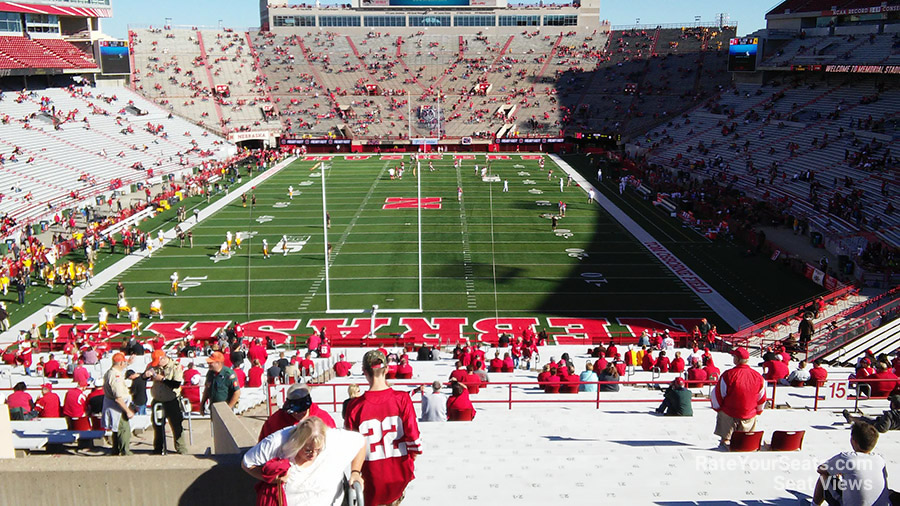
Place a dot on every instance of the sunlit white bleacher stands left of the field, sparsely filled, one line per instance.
(49, 139)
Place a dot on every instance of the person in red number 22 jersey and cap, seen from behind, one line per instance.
(387, 419)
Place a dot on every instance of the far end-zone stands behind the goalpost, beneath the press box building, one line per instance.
(367, 87)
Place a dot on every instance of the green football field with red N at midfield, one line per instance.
(485, 252)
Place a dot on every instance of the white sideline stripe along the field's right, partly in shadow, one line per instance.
(711, 297)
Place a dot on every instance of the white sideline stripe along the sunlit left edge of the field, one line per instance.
(58, 306)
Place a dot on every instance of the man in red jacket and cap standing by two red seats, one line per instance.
(738, 398)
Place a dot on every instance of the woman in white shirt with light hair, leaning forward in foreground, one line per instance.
(305, 464)
